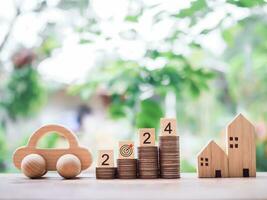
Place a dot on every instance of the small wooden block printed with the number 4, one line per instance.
(168, 126)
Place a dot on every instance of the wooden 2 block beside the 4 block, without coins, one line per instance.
(147, 137)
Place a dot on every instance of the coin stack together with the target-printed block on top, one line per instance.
(126, 164)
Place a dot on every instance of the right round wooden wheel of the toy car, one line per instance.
(69, 166)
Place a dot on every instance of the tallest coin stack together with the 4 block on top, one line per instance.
(169, 153)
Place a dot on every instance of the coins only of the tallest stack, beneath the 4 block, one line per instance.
(169, 156)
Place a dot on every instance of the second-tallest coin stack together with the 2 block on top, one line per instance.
(147, 154)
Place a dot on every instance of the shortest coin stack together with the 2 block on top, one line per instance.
(105, 169)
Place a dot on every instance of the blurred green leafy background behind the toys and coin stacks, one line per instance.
(106, 68)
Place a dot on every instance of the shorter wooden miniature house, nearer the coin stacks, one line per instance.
(212, 162)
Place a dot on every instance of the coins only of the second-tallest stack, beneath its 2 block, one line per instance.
(148, 162)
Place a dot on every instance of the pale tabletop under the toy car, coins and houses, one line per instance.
(16, 186)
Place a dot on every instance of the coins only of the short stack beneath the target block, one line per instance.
(127, 168)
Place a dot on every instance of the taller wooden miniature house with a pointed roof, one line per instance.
(241, 149)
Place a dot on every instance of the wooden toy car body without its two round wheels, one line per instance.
(52, 155)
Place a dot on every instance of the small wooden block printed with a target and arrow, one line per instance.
(126, 150)
